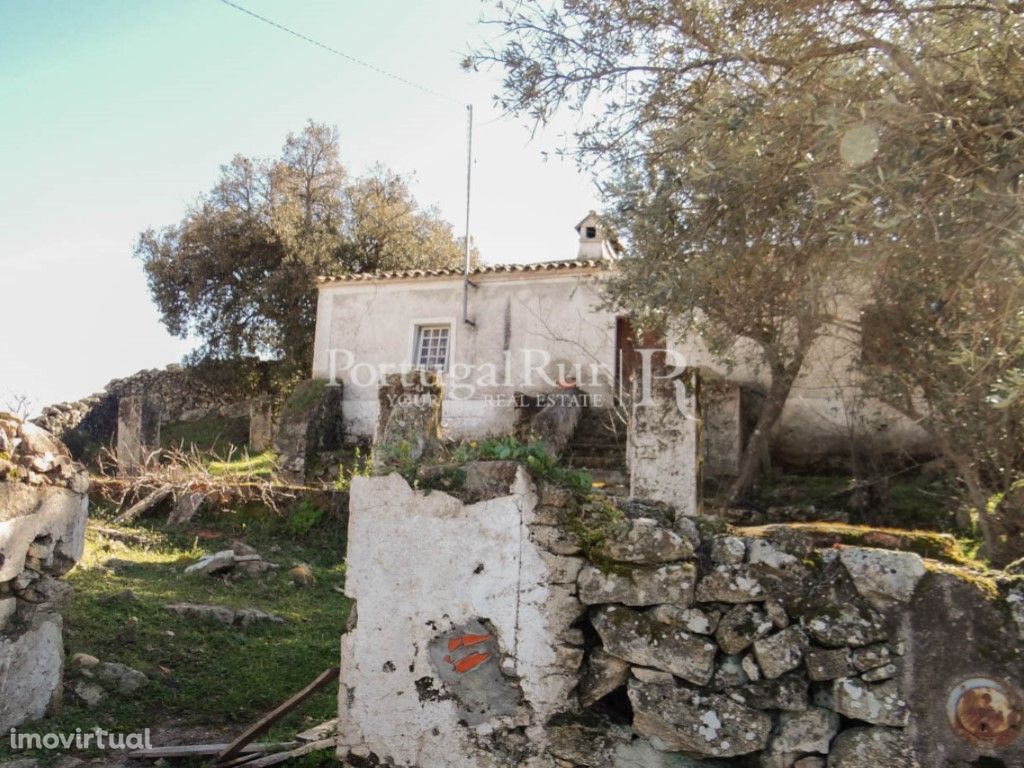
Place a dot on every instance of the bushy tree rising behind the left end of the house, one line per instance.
(239, 271)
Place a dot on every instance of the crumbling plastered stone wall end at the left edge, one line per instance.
(44, 509)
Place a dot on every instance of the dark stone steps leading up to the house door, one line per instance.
(599, 447)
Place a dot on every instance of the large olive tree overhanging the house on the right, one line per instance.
(776, 160)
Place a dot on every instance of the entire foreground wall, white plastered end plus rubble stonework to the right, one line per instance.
(526, 627)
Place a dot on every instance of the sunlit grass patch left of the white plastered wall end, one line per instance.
(204, 674)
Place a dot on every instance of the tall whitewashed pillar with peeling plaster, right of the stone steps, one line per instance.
(663, 450)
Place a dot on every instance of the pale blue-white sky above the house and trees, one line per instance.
(115, 115)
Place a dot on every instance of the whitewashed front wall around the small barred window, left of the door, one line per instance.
(375, 321)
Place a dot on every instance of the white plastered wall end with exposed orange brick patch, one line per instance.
(462, 625)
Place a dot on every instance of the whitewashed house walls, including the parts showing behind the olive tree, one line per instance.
(561, 313)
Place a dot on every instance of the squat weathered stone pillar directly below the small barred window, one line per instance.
(409, 419)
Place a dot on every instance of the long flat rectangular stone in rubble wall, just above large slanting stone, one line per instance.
(672, 584)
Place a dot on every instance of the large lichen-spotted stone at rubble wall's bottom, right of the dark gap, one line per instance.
(697, 723)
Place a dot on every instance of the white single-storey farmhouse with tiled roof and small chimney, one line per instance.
(529, 328)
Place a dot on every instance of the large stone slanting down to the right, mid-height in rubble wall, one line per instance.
(641, 641)
